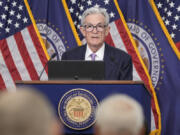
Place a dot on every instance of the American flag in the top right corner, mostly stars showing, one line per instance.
(170, 13)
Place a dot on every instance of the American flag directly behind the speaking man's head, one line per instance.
(118, 37)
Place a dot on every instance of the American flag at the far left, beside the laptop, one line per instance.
(21, 54)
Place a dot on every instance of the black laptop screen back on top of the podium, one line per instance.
(76, 70)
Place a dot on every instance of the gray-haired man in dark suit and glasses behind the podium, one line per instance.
(94, 27)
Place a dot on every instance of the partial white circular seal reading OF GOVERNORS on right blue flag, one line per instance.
(148, 50)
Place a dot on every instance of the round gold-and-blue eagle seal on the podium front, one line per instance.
(77, 109)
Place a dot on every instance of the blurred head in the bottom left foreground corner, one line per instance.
(26, 112)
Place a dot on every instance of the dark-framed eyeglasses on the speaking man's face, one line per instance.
(99, 27)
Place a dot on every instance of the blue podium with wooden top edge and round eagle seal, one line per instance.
(62, 93)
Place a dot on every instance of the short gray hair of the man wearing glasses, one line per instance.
(95, 10)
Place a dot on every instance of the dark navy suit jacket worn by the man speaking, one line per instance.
(118, 64)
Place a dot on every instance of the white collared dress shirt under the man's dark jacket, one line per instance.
(99, 53)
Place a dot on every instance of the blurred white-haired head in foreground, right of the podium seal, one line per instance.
(119, 114)
